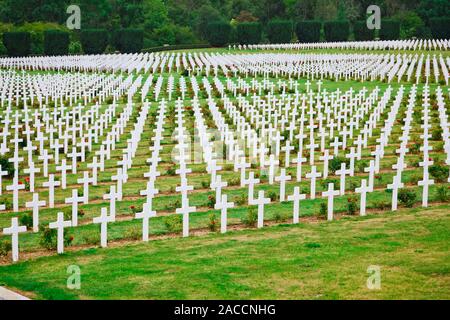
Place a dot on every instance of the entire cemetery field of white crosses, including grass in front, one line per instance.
(217, 174)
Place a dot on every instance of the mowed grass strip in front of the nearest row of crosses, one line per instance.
(306, 261)
